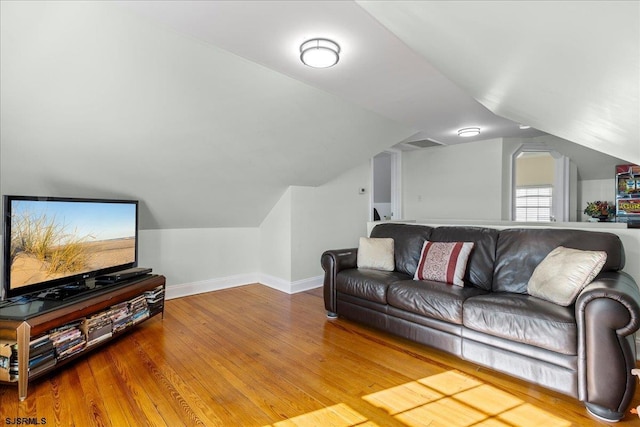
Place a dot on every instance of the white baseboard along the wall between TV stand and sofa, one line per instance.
(186, 289)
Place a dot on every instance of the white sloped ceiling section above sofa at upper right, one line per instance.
(570, 68)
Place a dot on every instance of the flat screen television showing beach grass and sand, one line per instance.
(52, 241)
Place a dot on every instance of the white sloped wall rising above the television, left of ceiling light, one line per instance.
(97, 101)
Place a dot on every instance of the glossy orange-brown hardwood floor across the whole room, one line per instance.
(253, 356)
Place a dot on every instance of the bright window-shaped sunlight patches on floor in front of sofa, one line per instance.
(448, 399)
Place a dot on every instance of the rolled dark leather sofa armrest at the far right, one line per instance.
(607, 315)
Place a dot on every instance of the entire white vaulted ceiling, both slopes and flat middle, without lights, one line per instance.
(203, 110)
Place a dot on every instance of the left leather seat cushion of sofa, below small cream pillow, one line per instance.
(367, 284)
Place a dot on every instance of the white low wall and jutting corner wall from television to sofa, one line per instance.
(284, 252)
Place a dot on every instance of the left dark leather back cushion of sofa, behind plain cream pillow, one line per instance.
(408, 240)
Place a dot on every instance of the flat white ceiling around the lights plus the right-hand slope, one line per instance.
(533, 62)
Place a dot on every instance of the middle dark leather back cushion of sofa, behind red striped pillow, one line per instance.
(479, 271)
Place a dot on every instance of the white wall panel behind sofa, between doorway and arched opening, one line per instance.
(454, 182)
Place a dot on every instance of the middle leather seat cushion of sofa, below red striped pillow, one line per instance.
(435, 300)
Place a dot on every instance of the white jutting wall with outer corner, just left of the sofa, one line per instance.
(305, 222)
